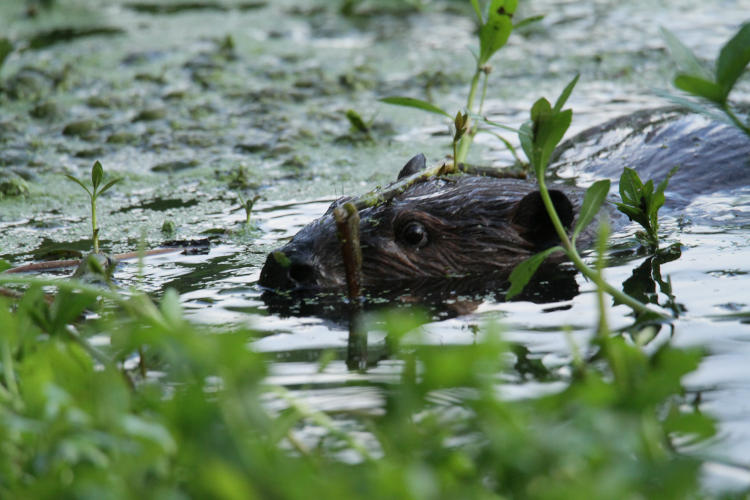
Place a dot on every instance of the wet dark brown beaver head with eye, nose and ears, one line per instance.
(440, 226)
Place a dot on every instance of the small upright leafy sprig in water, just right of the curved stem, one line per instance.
(641, 203)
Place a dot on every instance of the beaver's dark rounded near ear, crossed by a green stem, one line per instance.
(535, 224)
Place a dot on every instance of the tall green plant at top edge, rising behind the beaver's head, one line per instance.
(495, 27)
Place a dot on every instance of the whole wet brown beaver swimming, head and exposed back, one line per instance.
(475, 225)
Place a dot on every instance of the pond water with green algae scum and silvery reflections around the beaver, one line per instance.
(194, 106)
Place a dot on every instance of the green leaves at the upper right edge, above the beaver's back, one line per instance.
(713, 87)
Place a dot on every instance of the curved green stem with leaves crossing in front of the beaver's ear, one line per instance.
(539, 136)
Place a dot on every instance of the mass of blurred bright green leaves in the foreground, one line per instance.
(77, 421)
